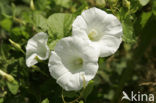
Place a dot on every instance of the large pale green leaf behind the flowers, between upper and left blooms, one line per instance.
(60, 24)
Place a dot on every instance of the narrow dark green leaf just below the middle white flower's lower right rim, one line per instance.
(88, 89)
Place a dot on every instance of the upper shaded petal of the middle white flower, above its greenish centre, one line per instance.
(70, 47)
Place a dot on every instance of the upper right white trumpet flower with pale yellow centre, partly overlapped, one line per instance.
(102, 30)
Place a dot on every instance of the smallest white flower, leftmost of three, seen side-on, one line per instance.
(37, 48)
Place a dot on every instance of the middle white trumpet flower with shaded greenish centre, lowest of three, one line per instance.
(73, 62)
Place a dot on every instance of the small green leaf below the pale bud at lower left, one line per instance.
(13, 86)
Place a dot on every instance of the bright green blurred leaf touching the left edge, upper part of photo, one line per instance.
(6, 24)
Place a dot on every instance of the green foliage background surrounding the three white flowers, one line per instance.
(132, 68)
